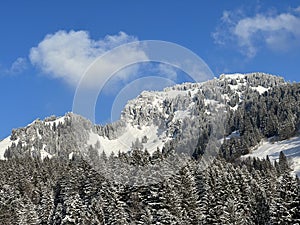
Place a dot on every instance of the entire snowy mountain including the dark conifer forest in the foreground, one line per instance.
(127, 172)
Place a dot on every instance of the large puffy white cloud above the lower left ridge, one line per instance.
(67, 55)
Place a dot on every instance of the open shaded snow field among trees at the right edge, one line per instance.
(291, 148)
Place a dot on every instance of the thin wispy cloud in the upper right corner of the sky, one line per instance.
(278, 32)
